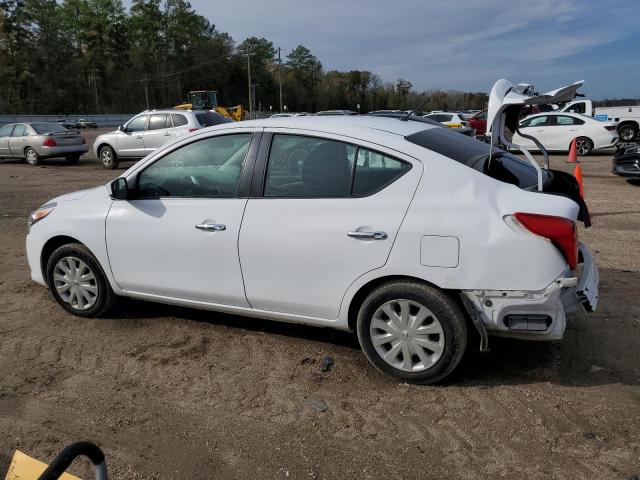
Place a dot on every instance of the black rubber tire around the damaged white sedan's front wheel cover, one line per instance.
(76, 252)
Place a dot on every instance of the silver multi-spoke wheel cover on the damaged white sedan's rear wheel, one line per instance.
(407, 335)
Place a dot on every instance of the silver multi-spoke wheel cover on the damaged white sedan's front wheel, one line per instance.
(75, 283)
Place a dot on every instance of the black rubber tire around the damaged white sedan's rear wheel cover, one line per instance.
(445, 314)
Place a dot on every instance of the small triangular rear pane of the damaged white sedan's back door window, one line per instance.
(375, 171)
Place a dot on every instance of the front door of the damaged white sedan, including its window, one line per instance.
(177, 237)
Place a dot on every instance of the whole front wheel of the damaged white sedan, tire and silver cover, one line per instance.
(77, 281)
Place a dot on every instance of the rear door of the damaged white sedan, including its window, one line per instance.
(312, 228)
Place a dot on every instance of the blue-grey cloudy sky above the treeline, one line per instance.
(463, 44)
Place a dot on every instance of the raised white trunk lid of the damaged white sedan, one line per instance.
(505, 94)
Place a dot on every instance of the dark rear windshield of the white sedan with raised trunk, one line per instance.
(473, 153)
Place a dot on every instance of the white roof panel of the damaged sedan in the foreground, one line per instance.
(338, 124)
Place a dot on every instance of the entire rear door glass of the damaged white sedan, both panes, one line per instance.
(316, 167)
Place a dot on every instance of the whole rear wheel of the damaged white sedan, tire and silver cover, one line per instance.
(411, 331)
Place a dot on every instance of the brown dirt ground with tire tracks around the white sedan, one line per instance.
(172, 393)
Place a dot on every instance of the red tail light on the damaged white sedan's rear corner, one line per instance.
(560, 231)
